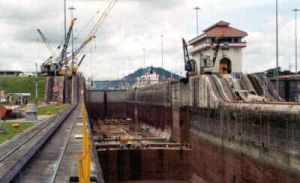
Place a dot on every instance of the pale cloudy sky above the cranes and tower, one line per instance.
(137, 25)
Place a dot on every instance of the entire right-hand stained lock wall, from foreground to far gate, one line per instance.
(253, 143)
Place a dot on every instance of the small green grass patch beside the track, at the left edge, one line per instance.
(9, 132)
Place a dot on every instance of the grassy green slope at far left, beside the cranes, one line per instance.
(23, 85)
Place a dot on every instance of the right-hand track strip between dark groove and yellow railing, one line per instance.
(45, 166)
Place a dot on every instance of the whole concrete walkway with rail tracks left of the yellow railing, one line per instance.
(47, 152)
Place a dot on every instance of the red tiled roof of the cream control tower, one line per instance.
(223, 29)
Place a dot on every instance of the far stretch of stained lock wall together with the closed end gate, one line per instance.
(162, 108)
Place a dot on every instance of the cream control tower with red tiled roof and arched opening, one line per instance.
(219, 47)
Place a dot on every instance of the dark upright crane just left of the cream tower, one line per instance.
(189, 64)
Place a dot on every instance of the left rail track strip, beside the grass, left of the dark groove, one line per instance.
(18, 152)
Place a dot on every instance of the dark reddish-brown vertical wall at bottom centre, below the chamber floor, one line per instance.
(150, 164)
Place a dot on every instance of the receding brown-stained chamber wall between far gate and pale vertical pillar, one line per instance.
(150, 107)
